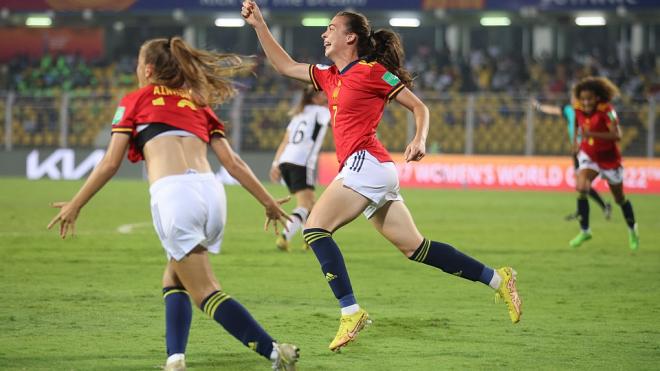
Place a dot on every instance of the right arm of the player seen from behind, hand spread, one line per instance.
(237, 168)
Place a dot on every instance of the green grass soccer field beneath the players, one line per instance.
(94, 302)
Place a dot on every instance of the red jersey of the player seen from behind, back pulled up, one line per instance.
(160, 104)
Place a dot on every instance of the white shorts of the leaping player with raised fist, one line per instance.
(375, 180)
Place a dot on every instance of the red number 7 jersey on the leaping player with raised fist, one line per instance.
(356, 99)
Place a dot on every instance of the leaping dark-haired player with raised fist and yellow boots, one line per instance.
(368, 73)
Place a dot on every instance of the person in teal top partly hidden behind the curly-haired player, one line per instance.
(567, 111)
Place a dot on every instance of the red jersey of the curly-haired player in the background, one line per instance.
(603, 152)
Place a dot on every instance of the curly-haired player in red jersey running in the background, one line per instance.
(599, 152)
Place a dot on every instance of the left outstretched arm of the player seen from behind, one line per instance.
(101, 174)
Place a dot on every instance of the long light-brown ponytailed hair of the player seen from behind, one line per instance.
(178, 65)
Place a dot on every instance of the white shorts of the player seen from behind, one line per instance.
(188, 210)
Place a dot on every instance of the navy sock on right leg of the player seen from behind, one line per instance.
(231, 315)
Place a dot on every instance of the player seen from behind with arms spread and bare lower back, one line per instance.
(168, 123)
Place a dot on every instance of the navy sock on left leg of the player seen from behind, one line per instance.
(178, 315)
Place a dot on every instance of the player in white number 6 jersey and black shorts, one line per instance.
(296, 158)
